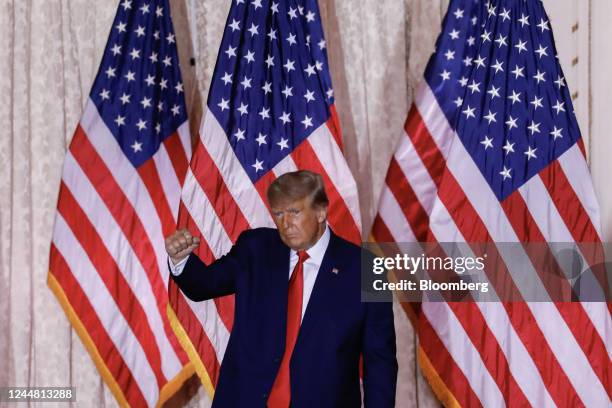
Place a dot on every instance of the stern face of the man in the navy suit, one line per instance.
(299, 223)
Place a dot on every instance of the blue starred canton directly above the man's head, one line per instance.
(271, 86)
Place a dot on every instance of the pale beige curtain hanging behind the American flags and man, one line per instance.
(50, 54)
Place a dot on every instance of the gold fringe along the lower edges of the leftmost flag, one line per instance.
(167, 391)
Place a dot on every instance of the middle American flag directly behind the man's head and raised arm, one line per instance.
(270, 111)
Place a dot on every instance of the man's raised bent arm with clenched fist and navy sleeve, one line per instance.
(197, 280)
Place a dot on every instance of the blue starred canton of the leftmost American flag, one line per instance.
(138, 90)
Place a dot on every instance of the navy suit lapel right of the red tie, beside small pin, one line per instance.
(322, 292)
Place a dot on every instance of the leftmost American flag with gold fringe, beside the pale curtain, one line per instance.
(118, 199)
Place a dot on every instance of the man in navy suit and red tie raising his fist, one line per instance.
(300, 326)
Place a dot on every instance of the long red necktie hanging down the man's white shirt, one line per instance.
(280, 396)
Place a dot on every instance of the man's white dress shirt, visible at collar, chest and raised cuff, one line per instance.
(311, 265)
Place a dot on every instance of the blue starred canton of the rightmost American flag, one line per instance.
(507, 98)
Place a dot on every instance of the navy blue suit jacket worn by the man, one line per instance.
(337, 327)
